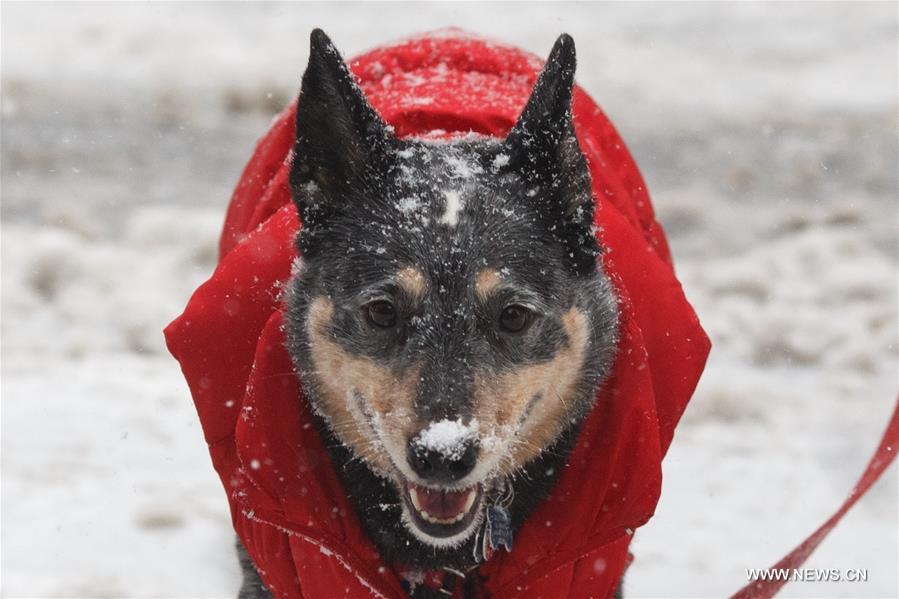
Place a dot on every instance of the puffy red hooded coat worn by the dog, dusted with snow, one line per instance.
(288, 506)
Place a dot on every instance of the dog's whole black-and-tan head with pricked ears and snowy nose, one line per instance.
(448, 316)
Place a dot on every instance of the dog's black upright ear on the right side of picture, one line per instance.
(542, 145)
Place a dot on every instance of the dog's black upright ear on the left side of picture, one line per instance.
(340, 139)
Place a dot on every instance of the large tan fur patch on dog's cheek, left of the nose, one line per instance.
(339, 376)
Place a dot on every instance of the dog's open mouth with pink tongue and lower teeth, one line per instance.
(442, 512)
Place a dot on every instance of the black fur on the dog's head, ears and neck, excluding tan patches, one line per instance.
(371, 203)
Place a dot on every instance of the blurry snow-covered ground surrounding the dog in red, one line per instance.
(767, 134)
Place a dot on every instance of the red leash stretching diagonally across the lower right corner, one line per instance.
(882, 458)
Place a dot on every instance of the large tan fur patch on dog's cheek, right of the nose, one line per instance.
(503, 400)
